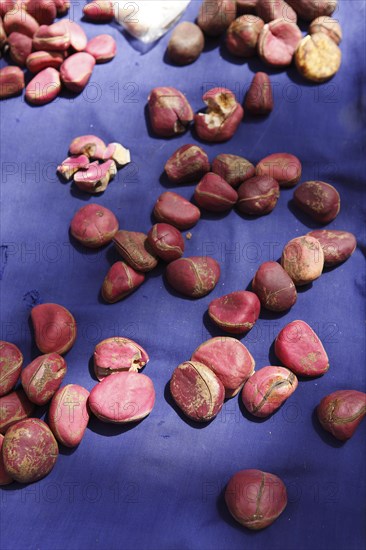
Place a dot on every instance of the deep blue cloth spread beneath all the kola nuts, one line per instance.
(159, 485)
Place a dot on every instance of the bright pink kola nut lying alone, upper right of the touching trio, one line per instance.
(300, 350)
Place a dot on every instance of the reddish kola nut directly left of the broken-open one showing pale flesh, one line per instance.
(169, 111)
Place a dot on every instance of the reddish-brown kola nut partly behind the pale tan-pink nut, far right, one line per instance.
(337, 246)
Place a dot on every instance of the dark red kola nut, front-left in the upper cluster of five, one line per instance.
(214, 194)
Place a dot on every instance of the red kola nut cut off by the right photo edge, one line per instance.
(341, 412)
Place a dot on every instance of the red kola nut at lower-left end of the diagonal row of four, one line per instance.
(236, 312)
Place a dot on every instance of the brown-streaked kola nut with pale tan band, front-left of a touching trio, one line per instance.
(197, 391)
